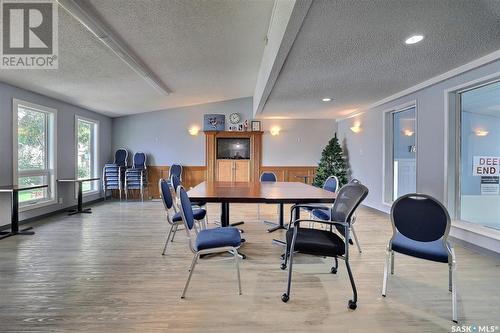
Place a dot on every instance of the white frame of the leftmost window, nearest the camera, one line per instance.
(50, 170)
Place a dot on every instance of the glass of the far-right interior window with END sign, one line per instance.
(479, 164)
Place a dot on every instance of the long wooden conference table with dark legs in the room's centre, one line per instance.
(259, 192)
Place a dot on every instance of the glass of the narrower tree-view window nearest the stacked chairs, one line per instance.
(86, 152)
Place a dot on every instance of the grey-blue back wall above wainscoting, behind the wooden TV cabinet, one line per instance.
(164, 136)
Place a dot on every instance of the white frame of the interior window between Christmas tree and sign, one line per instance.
(388, 150)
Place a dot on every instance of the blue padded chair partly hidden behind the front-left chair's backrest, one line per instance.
(174, 217)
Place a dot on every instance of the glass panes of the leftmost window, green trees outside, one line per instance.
(34, 151)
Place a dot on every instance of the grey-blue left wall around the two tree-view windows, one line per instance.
(65, 146)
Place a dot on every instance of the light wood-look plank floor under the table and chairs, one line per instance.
(104, 273)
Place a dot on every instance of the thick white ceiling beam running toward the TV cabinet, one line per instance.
(286, 21)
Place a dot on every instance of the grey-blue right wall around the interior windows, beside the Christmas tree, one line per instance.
(366, 148)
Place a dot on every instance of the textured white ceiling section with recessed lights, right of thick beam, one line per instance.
(354, 51)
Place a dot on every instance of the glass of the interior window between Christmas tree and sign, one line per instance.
(401, 151)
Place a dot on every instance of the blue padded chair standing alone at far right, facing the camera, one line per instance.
(420, 226)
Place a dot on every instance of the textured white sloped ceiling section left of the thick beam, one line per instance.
(204, 51)
